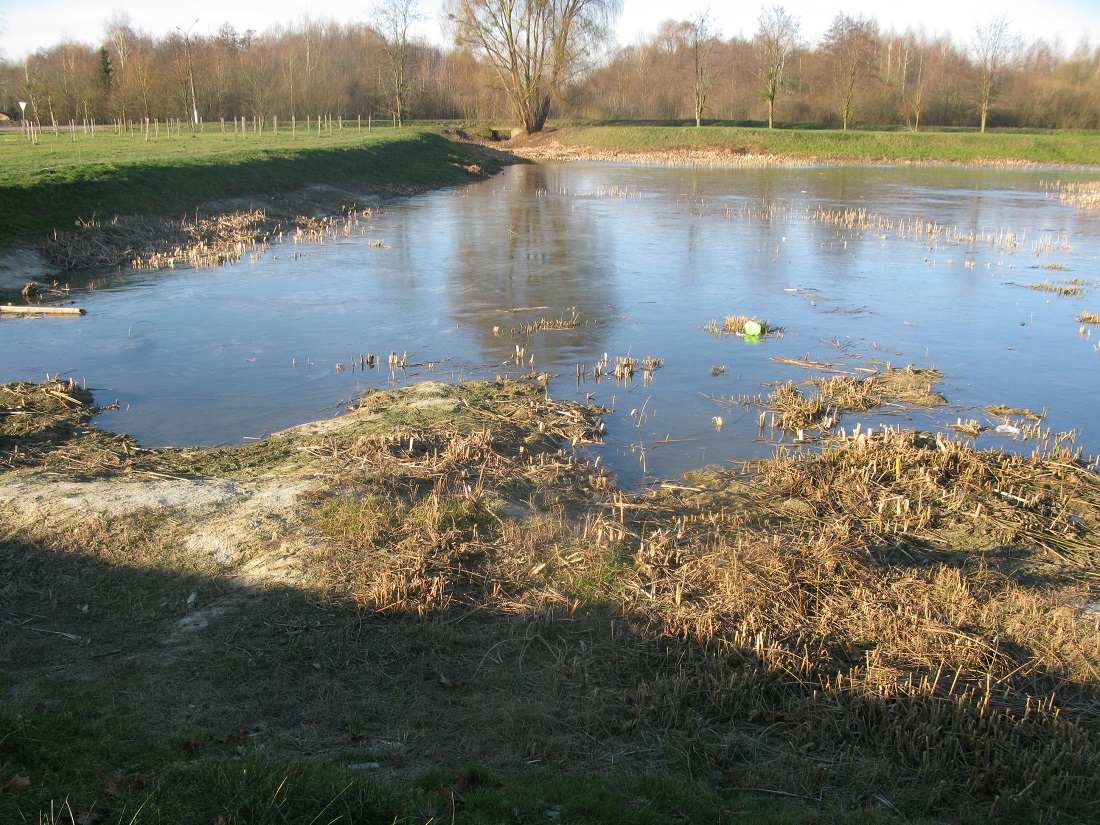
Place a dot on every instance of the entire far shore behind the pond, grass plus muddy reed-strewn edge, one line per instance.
(298, 183)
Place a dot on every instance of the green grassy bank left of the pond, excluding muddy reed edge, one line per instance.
(59, 182)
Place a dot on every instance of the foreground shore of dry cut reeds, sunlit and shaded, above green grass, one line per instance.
(897, 618)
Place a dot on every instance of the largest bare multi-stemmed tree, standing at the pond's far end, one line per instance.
(535, 47)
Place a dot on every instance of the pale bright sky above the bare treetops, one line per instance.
(27, 26)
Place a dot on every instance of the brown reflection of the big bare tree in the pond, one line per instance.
(525, 246)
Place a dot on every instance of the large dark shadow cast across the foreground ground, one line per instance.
(145, 695)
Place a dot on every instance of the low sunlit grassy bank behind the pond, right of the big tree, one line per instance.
(837, 146)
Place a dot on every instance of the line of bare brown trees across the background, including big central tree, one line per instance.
(525, 60)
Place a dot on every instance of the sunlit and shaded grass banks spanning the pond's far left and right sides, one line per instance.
(65, 180)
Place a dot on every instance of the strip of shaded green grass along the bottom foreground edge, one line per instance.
(87, 764)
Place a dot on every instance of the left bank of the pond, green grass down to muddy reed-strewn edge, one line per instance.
(109, 201)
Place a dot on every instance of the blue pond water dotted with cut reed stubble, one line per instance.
(861, 267)
